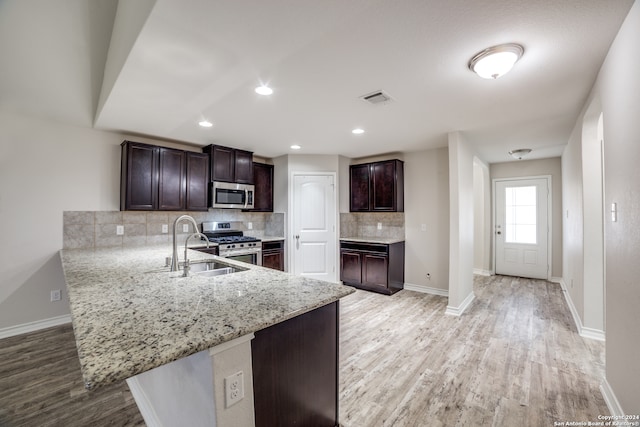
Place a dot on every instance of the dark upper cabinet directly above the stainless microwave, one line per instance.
(230, 164)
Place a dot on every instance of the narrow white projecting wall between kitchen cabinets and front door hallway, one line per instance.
(461, 243)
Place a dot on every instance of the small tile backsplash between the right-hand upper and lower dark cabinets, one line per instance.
(365, 224)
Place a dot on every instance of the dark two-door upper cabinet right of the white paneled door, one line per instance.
(377, 187)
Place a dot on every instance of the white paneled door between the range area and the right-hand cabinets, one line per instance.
(314, 231)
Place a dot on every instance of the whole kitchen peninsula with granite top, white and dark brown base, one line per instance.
(177, 339)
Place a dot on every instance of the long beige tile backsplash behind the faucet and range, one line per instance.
(97, 229)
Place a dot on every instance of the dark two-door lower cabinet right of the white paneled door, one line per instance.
(372, 266)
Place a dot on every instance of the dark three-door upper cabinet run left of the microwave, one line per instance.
(160, 178)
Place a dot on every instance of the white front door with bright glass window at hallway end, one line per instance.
(522, 227)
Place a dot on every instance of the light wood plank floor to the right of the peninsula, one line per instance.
(513, 359)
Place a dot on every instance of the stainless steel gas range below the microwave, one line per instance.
(232, 243)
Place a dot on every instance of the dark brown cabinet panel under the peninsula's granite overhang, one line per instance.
(295, 370)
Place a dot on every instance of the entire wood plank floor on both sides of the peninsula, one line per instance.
(513, 359)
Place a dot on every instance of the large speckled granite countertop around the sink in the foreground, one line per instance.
(131, 314)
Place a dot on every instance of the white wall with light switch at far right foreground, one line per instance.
(618, 86)
